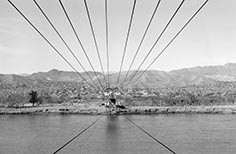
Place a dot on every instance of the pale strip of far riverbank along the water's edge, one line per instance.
(98, 110)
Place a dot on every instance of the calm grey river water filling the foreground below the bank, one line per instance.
(182, 133)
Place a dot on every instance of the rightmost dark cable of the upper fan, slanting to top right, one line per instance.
(163, 50)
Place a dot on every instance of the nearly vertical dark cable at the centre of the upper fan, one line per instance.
(107, 43)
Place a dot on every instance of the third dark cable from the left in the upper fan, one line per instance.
(79, 41)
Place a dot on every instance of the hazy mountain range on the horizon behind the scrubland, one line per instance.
(150, 79)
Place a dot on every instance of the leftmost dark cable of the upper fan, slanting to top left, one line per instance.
(13, 5)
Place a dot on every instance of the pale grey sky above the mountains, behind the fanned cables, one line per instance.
(208, 40)
